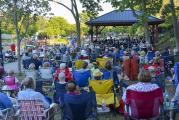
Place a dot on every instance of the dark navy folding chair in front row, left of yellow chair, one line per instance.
(79, 107)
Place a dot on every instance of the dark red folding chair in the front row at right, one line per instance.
(144, 105)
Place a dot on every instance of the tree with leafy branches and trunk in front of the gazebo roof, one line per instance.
(147, 7)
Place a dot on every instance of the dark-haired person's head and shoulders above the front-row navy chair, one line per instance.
(72, 89)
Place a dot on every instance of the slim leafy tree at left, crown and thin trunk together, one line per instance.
(22, 13)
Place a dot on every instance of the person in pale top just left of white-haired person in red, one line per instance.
(46, 71)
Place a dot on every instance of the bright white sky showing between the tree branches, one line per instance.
(59, 10)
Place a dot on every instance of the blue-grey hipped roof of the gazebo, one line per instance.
(121, 18)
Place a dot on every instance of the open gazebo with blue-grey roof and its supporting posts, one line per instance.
(121, 18)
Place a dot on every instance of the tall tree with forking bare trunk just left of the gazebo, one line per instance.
(91, 6)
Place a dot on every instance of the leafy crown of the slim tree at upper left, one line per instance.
(22, 14)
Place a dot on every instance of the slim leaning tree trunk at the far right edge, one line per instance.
(175, 24)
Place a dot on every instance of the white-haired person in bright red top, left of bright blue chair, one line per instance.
(68, 76)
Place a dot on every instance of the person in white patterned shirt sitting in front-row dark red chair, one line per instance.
(144, 85)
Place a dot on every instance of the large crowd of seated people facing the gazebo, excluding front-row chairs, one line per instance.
(120, 60)
